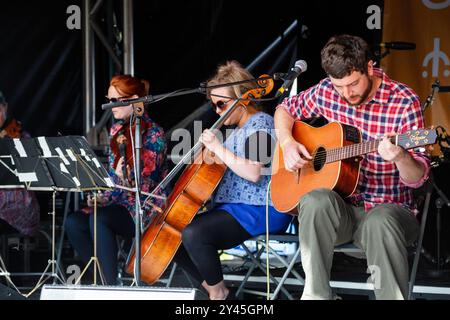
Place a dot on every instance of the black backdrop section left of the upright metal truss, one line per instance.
(41, 66)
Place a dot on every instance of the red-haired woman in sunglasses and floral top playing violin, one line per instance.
(116, 209)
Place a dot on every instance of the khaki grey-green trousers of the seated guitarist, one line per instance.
(383, 233)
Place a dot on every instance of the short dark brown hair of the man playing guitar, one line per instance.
(344, 54)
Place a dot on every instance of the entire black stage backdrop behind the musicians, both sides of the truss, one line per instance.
(178, 44)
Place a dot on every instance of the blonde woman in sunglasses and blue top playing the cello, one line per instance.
(240, 201)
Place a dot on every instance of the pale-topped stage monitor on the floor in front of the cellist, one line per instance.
(70, 292)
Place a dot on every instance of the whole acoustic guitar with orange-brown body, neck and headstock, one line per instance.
(336, 150)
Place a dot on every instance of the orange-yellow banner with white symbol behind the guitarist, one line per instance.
(427, 24)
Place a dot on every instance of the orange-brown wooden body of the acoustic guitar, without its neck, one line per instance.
(287, 188)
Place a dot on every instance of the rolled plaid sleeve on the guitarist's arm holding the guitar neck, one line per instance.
(412, 119)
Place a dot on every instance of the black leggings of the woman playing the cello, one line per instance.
(202, 238)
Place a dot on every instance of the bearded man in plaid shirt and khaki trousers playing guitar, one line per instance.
(379, 216)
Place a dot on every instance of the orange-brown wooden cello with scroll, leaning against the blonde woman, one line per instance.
(162, 236)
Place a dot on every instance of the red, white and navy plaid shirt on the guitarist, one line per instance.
(394, 108)
